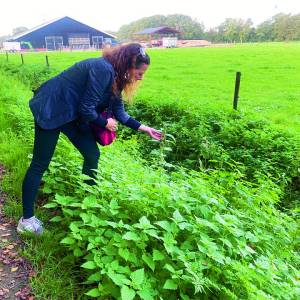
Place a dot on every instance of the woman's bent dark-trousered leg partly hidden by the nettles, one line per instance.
(85, 142)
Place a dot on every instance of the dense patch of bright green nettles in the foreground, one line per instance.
(143, 234)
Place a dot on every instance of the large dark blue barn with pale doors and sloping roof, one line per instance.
(63, 33)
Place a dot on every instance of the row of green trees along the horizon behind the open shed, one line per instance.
(281, 27)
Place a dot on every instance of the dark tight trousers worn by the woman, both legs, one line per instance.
(44, 145)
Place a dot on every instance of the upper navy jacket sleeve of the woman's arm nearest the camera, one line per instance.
(98, 81)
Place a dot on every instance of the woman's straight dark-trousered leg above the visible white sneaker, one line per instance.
(44, 145)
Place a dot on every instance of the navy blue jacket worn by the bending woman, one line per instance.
(81, 93)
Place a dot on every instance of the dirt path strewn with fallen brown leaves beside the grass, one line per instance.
(14, 270)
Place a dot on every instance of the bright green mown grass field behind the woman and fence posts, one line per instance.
(203, 78)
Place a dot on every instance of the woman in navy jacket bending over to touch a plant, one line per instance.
(69, 103)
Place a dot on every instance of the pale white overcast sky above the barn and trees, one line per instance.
(111, 14)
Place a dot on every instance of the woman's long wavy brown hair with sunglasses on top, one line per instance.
(123, 58)
